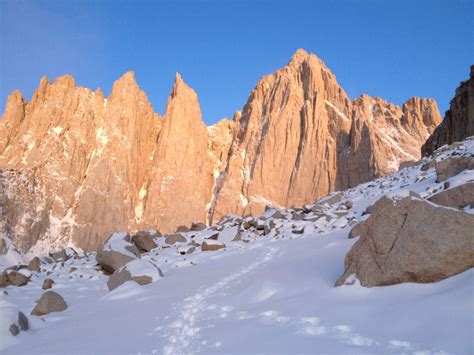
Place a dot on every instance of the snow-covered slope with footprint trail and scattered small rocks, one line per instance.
(272, 291)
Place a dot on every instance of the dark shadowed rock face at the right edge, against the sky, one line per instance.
(458, 122)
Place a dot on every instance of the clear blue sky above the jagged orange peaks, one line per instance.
(391, 49)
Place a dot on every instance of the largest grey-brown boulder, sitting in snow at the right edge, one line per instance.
(407, 239)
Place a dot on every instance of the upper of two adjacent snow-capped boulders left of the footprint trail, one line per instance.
(116, 252)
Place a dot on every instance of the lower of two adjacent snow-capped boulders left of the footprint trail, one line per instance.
(140, 271)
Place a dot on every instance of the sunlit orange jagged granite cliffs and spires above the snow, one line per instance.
(77, 166)
